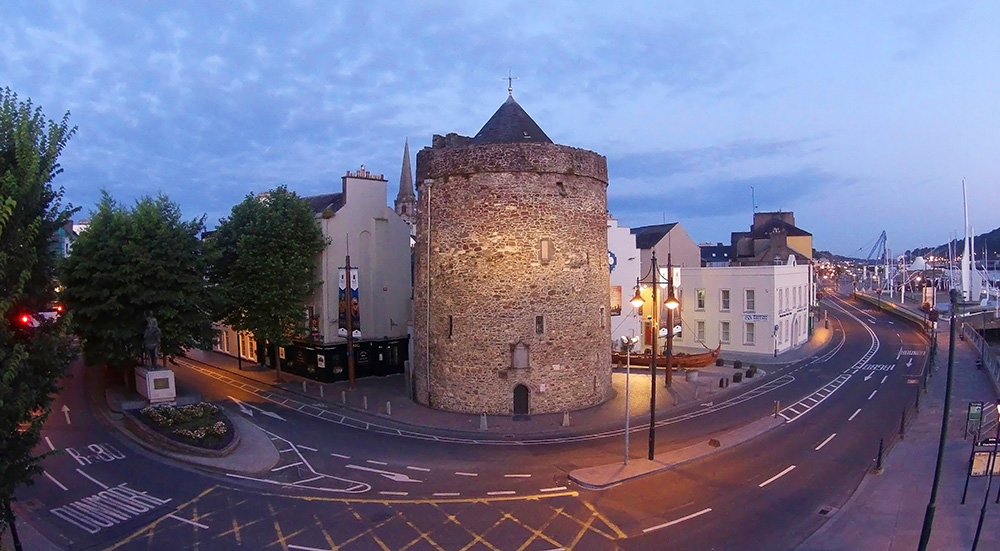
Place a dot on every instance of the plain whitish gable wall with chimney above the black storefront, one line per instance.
(379, 244)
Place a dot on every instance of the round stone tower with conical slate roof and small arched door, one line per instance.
(511, 282)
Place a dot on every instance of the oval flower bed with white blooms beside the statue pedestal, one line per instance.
(202, 425)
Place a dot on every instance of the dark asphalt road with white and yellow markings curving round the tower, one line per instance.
(342, 487)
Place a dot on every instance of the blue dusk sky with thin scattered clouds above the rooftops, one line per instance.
(856, 116)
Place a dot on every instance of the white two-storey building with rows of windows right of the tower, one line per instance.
(755, 309)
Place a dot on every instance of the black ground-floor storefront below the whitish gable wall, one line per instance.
(328, 363)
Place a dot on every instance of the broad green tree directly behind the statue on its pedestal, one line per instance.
(132, 262)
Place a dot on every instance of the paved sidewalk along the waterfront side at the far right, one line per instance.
(886, 512)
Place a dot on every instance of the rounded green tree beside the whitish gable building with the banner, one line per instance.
(266, 266)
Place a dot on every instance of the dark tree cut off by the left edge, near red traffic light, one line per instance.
(34, 350)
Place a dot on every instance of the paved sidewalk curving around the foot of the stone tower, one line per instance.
(388, 403)
